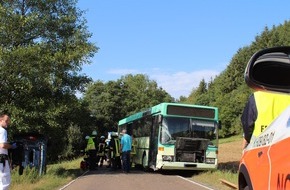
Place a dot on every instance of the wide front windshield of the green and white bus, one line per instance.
(173, 127)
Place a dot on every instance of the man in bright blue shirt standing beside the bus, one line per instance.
(126, 146)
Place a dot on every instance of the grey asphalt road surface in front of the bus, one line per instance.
(105, 179)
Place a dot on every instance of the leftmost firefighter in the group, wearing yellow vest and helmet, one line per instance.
(91, 151)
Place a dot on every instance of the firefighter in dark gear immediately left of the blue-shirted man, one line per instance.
(115, 151)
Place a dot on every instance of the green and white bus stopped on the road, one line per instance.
(174, 136)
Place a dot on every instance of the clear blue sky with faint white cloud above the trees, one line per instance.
(175, 43)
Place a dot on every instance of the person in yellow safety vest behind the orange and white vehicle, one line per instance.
(260, 110)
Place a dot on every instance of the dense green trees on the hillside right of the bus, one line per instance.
(228, 91)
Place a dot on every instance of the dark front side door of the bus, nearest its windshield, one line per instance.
(153, 141)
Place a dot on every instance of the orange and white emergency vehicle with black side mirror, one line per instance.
(265, 163)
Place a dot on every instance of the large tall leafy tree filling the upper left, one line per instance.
(43, 45)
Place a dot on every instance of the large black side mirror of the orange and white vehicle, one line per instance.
(269, 70)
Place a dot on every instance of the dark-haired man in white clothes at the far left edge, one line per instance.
(5, 176)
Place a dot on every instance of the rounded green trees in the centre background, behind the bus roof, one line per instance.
(111, 101)
